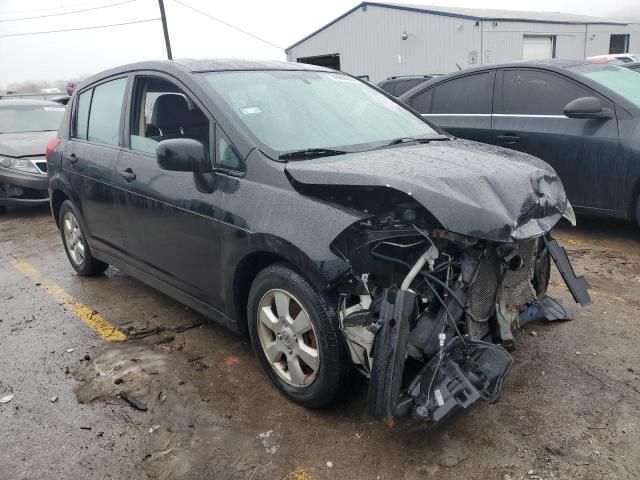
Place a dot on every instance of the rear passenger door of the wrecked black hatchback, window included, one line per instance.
(90, 159)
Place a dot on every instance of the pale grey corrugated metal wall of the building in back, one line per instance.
(370, 42)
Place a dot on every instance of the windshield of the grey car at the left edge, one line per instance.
(30, 118)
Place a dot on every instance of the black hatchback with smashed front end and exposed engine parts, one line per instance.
(339, 228)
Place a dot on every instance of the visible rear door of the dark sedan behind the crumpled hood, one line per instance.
(461, 106)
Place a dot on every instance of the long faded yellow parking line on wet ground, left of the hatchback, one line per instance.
(91, 318)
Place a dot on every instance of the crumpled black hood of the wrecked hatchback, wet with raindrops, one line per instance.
(471, 188)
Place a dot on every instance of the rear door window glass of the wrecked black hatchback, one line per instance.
(106, 109)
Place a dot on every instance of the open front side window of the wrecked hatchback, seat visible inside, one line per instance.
(161, 111)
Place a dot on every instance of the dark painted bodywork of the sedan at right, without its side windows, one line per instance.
(598, 160)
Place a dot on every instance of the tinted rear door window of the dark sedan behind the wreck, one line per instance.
(469, 94)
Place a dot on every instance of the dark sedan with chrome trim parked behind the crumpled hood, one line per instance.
(581, 117)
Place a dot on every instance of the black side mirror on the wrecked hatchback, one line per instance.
(183, 155)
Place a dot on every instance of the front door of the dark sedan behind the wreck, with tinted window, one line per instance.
(528, 117)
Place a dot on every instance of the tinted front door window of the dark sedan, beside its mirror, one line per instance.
(533, 92)
